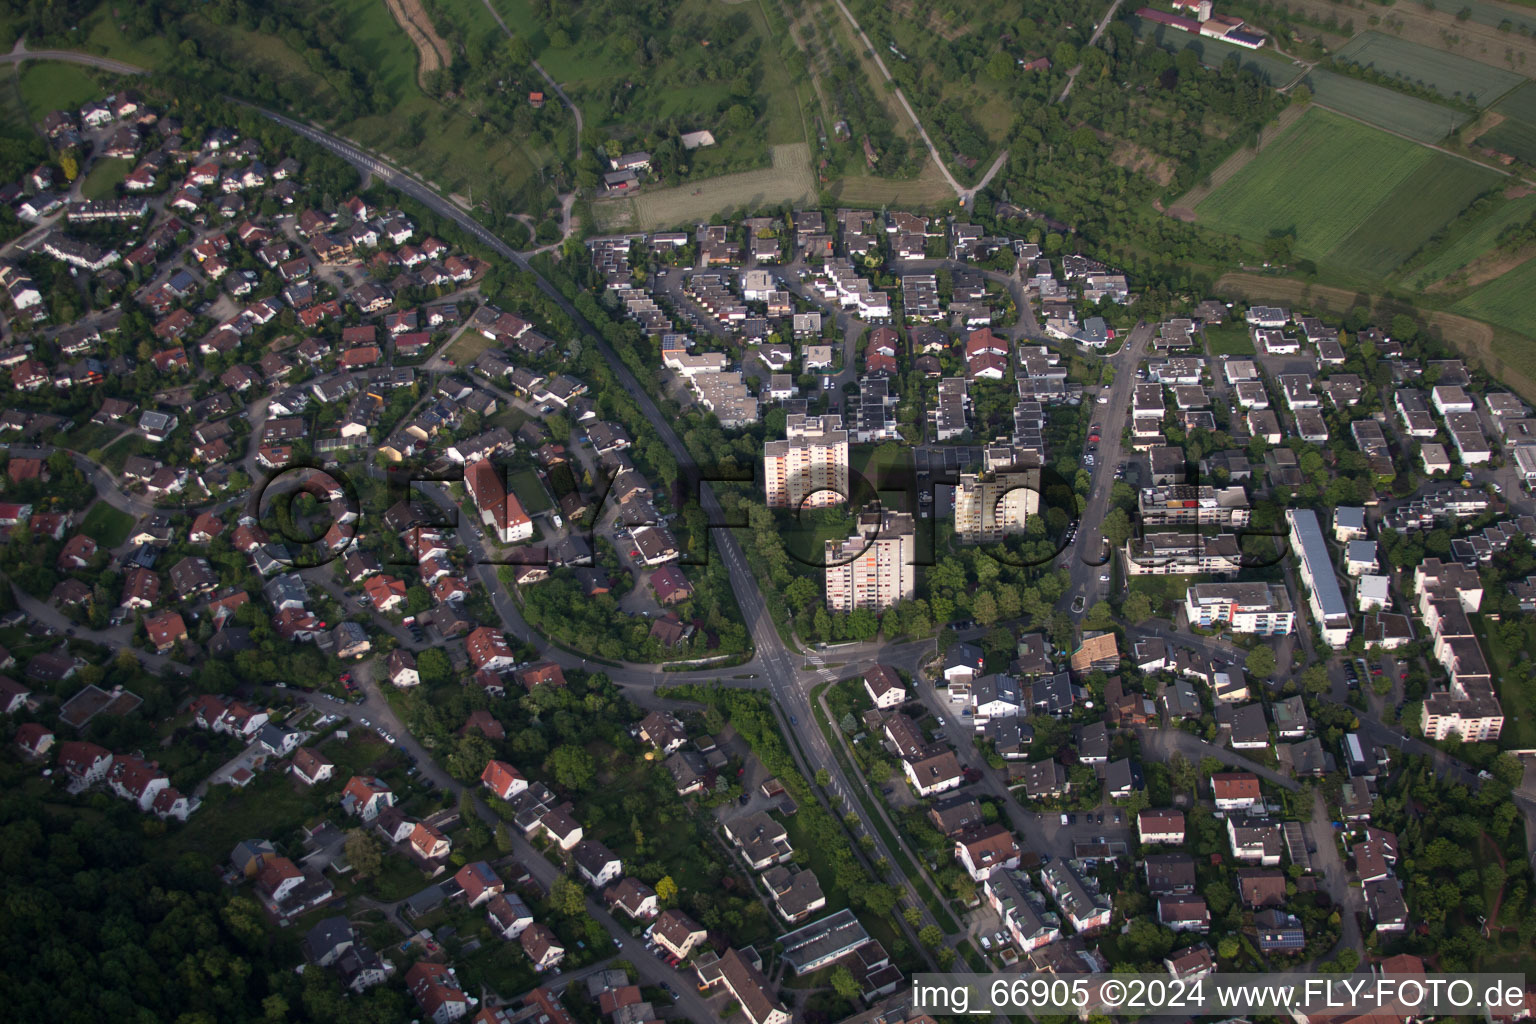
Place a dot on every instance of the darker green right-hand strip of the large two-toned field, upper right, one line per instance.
(1429, 200)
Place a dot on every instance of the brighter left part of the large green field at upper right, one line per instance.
(1319, 183)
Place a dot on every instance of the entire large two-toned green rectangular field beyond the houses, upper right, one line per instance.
(1328, 179)
